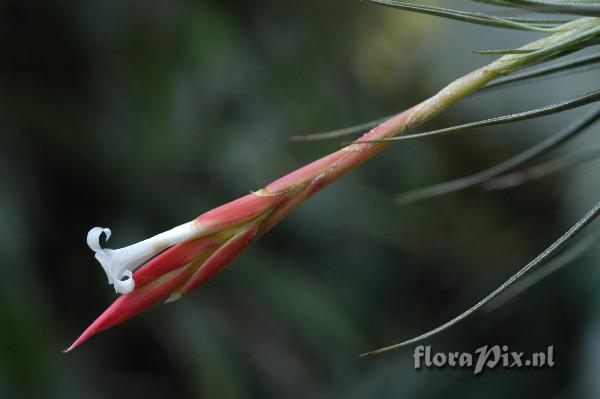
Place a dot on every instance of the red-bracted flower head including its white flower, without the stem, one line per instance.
(208, 242)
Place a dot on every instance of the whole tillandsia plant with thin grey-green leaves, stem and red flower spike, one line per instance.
(176, 262)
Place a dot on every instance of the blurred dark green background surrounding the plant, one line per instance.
(142, 115)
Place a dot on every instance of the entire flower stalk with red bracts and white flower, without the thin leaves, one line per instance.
(174, 263)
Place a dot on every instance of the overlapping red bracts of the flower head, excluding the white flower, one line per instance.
(183, 267)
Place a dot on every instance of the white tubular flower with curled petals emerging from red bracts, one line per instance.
(118, 264)
